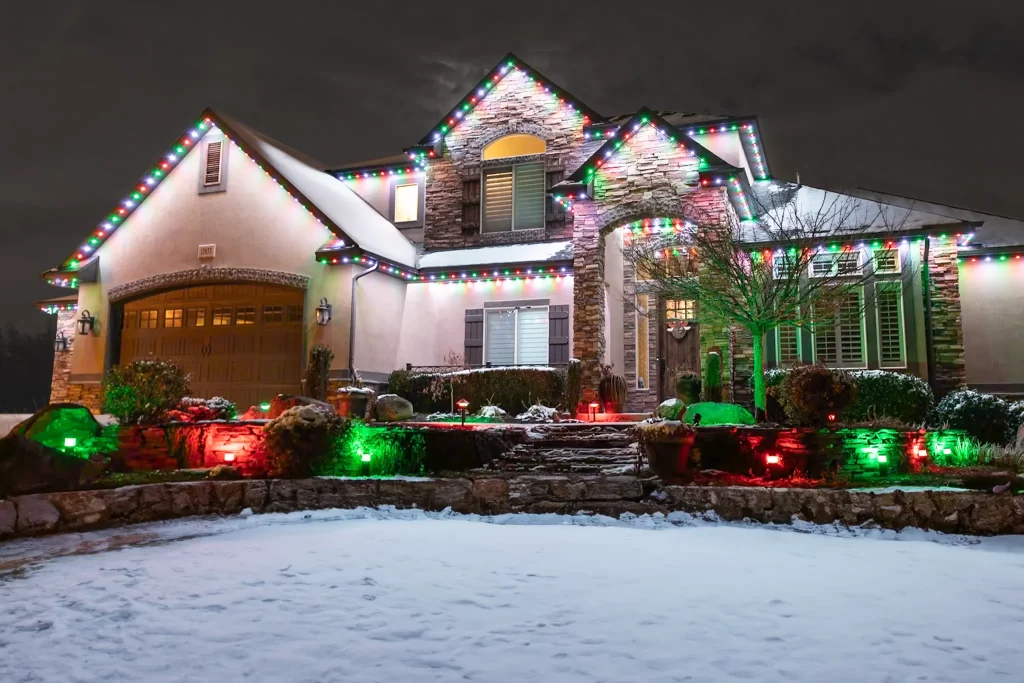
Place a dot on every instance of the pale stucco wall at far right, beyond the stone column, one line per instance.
(994, 326)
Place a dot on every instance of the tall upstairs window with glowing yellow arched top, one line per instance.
(514, 193)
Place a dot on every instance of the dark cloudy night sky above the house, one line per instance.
(923, 99)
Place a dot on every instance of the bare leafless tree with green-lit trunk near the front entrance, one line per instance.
(794, 267)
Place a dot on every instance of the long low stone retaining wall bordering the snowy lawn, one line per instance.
(975, 514)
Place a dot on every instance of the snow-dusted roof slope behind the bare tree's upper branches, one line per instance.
(845, 212)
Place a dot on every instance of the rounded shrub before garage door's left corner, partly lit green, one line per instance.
(144, 392)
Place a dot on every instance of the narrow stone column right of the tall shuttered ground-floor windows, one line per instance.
(948, 329)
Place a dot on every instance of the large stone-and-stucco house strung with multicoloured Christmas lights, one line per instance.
(495, 238)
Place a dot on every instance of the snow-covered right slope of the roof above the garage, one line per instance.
(351, 212)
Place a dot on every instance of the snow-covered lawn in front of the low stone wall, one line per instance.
(408, 597)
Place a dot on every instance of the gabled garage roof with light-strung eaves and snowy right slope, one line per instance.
(326, 198)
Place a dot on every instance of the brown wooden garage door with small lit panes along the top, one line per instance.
(243, 343)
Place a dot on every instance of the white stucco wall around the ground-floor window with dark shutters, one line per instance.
(435, 316)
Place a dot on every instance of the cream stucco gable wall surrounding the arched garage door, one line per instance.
(254, 225)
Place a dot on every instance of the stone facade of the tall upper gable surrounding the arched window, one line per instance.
(517, 105)
